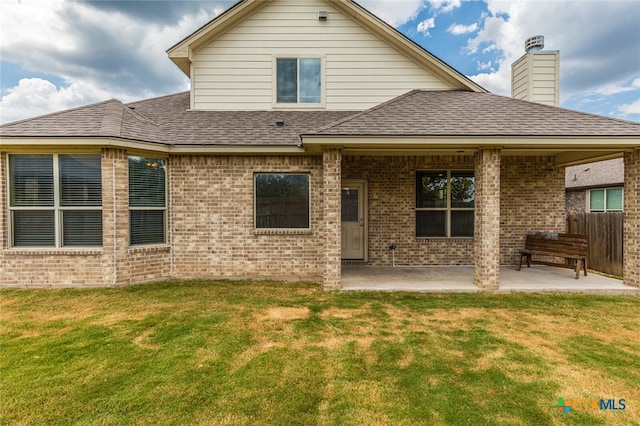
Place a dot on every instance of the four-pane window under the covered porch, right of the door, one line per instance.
(445, 203)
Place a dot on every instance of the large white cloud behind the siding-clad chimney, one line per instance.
(589, 62)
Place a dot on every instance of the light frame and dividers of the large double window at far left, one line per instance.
(56, 208)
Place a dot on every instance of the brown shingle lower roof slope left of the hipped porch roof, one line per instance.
(167, 120)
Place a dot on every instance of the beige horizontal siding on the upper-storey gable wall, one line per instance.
(236, 70)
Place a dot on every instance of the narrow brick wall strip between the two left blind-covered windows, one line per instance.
(115, 212)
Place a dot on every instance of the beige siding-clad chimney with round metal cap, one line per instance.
(535, 77)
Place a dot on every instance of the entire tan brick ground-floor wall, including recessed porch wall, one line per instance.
(210, 231)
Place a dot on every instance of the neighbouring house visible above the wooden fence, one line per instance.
(595, 187)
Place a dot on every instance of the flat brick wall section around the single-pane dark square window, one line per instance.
(212, 227)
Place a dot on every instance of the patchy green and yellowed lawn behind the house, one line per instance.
(246, 352)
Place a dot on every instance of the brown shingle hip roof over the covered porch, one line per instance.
(463, 113)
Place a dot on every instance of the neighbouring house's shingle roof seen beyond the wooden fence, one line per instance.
(602, 173)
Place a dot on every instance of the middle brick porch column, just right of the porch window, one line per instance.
(487, 219)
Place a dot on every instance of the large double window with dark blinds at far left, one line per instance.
(55, 200)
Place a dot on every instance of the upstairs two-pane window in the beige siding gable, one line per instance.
(299, 80)
